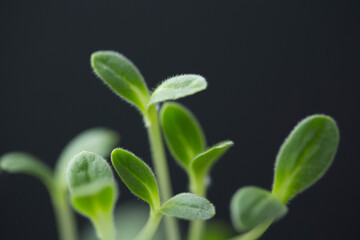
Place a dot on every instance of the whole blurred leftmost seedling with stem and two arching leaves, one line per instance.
(100, 140)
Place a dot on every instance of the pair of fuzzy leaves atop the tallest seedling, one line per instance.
(124, 78)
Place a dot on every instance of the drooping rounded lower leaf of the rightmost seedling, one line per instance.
(251, 206)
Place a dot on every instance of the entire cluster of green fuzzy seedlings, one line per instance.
(85, 180)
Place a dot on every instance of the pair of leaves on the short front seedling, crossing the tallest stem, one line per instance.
(139, 178)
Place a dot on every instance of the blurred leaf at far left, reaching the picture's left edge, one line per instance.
(18, 162)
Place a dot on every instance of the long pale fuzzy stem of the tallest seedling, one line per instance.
(161, 169)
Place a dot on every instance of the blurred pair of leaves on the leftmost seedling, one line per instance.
(100, 140)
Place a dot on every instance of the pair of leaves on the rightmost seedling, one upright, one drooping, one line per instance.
(303, 158)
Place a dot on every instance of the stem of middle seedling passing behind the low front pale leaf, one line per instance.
(197, 186)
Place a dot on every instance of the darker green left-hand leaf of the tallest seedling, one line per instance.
(122, 76)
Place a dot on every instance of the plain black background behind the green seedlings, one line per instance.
(268, 64)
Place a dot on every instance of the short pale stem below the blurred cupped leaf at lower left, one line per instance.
(104, 225)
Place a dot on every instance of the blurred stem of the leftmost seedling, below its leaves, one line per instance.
(64, 215)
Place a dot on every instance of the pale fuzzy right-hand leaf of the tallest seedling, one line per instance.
(178, 87)
